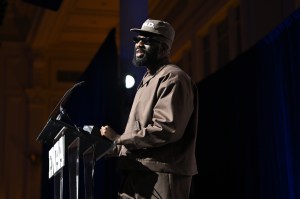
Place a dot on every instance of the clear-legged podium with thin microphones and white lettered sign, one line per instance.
(74, 145)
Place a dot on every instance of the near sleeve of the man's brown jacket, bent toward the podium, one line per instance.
(171, 114)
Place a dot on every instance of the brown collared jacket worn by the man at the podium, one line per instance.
(162, 126)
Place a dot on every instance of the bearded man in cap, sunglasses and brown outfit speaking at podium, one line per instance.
(157, 148)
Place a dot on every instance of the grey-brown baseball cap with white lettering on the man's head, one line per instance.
(158, 27)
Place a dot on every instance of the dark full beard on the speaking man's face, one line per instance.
(149, 59)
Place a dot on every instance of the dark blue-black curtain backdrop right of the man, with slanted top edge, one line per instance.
(249, 122)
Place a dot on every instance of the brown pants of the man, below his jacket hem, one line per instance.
(154, 185)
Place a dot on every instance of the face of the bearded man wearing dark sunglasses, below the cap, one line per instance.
(146, 51)
